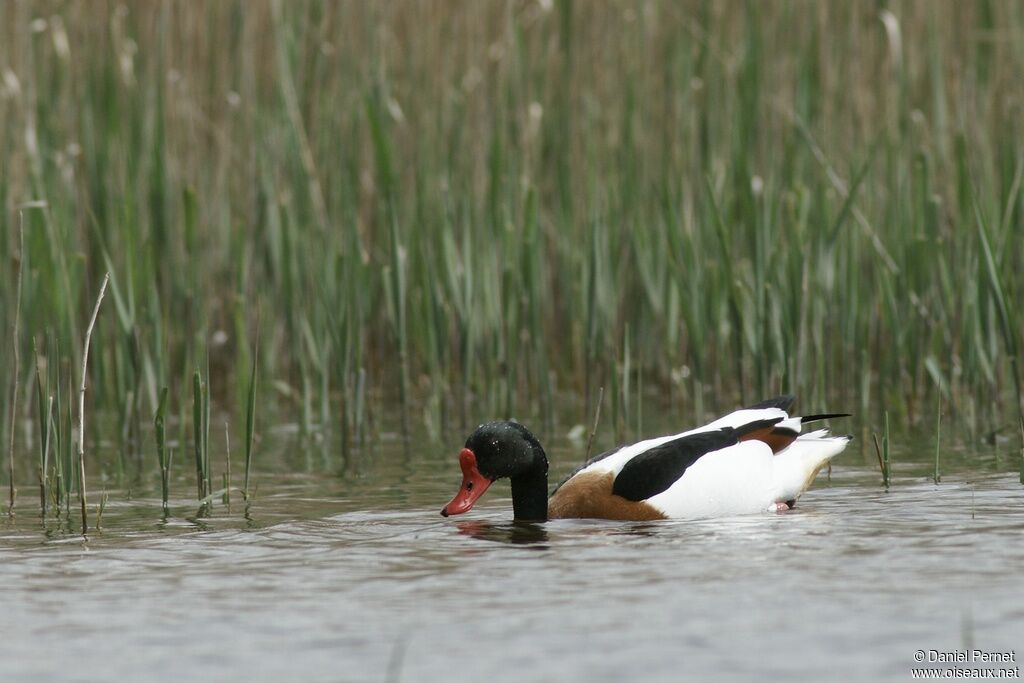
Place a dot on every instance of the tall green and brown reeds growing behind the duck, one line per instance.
(478, 209)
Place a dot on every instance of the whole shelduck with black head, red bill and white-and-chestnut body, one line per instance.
(753, 460)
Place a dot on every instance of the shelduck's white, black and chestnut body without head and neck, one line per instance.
(746, 461)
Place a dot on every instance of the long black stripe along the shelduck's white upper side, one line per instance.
(657, 469)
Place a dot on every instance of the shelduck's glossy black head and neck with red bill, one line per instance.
(499, 450)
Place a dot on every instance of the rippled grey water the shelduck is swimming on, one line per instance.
(354, 576)
